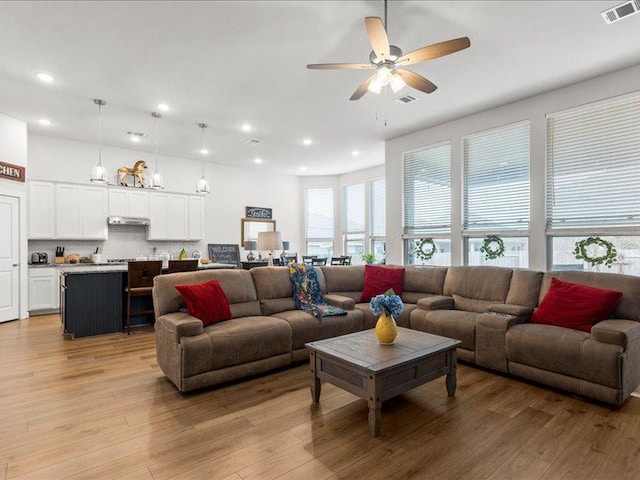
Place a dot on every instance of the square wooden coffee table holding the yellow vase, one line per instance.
(358, 364)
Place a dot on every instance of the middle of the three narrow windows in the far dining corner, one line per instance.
(354, 221)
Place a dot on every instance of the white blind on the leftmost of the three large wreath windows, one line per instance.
(427, 190)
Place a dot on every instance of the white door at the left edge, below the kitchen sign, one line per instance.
(9, 253)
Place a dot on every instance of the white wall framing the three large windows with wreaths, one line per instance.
(533, 109)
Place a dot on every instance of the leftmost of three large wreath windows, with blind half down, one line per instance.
(427, 202)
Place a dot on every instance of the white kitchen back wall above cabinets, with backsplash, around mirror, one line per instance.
(232, 189)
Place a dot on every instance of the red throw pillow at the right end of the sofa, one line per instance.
(576, 306)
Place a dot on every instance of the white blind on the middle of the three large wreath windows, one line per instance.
(496, 179)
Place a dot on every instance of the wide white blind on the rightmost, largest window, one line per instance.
(593, 166)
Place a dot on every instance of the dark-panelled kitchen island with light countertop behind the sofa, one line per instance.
(92, 298)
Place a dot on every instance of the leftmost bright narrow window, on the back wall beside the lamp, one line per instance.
(319, 221)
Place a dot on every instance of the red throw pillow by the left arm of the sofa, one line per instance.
(206, 301)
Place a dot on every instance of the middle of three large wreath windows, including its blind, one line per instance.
(496, 193)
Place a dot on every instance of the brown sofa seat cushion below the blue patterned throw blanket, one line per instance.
(307, 328)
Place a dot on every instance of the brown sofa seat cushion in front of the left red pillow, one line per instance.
(235, 342)
